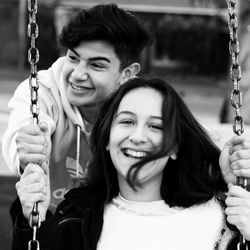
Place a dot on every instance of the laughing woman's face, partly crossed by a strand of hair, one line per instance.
(136, 132)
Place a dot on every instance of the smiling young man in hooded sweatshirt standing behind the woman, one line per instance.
(103, 45)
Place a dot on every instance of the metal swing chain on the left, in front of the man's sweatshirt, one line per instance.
(33, 58)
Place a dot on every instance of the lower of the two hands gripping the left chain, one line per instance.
(34, 187)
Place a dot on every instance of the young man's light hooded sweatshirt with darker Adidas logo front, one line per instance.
(65, 127)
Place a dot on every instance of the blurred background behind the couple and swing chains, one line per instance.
(190, 50)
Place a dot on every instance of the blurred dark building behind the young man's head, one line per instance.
(190, 35)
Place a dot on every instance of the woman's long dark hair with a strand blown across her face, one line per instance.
(194, 177)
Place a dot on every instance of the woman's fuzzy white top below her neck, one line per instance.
(154, 225)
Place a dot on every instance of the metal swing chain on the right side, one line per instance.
(236, 94)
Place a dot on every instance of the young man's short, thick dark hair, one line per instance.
(108, 23)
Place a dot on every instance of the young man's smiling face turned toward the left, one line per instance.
(91, 72)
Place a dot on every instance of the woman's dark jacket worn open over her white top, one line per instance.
(76, 224)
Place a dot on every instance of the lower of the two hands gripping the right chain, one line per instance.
(238, 209)
